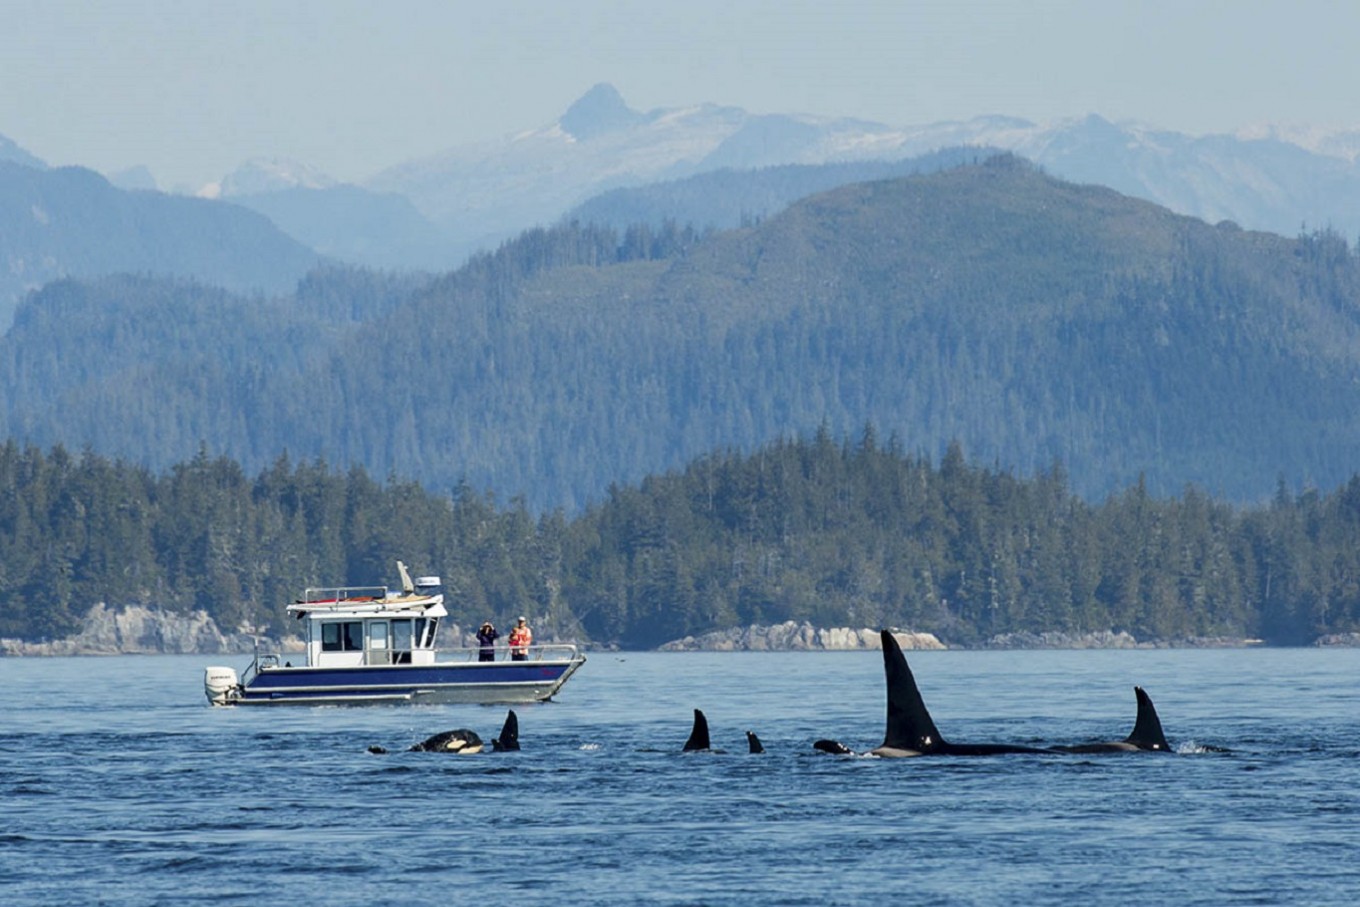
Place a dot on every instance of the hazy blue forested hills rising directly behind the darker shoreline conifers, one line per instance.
(1027, 319)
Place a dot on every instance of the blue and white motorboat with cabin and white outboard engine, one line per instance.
(369, 645)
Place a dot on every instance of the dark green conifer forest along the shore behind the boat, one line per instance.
(856, 532)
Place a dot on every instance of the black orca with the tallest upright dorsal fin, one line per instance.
(912, 732)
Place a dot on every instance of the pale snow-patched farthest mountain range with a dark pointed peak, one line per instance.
(1265, 179)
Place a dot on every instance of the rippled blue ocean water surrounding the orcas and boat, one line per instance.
(122, 787)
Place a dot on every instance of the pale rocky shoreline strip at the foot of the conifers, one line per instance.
(138, 630)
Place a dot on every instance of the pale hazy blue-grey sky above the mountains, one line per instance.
(194, 89)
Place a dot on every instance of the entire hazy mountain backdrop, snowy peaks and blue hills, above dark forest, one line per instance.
(705, 278)
